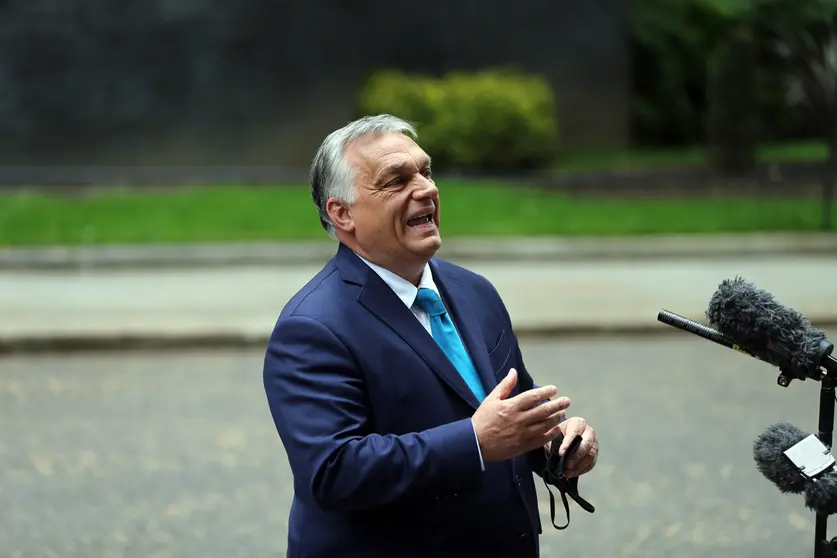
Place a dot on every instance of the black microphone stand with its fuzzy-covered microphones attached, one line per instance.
(751, 322)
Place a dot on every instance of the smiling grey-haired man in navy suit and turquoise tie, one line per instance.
(396, 382)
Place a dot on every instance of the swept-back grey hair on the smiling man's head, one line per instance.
(331, 175)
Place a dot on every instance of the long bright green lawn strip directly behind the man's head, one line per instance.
(222, 214)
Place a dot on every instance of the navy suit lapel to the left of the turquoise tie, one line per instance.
(376, 296)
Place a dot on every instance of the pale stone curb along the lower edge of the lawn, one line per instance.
(534, 249)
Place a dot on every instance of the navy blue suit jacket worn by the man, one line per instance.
(376, 422)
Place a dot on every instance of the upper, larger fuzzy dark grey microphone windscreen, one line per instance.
(753, 319)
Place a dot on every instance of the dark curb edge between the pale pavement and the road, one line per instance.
(21, 346)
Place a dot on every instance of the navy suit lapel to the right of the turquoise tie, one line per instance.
(465, 318)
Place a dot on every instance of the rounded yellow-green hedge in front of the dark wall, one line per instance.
(490, 120)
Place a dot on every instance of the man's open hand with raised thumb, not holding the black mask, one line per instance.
(507, 428)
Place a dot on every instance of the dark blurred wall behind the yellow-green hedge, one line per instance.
(255, 82)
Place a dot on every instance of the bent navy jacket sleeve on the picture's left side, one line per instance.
(315, 392)
